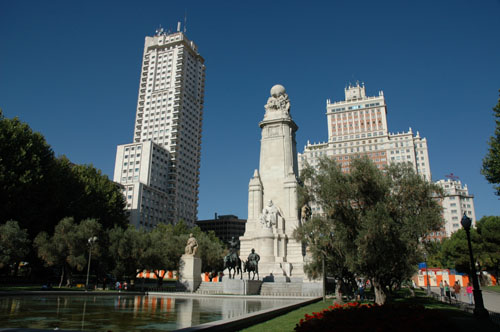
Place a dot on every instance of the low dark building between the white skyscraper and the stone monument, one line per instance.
(225, 227)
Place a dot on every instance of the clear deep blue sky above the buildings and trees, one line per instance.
(70, 69)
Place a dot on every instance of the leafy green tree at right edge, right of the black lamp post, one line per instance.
(488, 229)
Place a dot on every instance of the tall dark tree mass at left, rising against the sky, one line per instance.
(37, 190)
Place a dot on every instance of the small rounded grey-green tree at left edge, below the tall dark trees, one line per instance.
(14, 245)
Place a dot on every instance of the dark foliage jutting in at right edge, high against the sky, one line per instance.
(491, 162)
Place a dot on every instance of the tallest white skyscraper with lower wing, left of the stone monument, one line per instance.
(168, 124)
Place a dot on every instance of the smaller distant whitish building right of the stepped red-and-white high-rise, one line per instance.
(456, 202)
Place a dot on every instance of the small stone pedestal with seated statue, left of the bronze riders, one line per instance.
(190, 266)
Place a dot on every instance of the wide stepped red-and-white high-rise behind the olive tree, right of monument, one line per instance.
(357, 126)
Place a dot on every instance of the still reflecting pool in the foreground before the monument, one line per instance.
(124, 313)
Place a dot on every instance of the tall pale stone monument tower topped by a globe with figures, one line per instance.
(273, 211)
